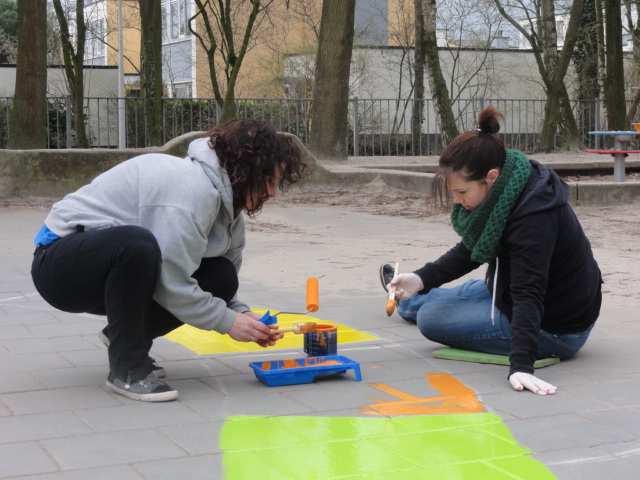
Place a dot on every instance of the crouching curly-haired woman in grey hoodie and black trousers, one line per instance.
(157, 241)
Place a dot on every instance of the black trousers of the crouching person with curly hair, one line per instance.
(114, 272)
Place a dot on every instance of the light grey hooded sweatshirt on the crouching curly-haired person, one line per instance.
(187, 204)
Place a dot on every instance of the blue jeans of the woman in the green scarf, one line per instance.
(460, 317)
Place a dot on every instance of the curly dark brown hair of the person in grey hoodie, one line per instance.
(251, 151)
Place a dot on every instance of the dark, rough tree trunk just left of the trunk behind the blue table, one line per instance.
(585, 60)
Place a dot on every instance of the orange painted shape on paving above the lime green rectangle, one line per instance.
(454, 397)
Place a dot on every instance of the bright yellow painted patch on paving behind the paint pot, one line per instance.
(204, 342)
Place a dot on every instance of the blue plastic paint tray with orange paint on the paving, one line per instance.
(275, 373)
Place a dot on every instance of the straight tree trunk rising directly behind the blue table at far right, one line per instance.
(614, 86)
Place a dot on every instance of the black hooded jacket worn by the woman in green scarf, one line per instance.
(547, 275)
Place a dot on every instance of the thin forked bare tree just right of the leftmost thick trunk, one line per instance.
(74, 64)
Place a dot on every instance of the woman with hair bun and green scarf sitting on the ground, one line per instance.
(542, 292)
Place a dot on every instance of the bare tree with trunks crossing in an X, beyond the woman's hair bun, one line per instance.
(552, 64)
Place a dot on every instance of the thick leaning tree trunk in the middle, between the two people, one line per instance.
(329, 123)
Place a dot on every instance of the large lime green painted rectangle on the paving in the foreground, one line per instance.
(464, 446)
